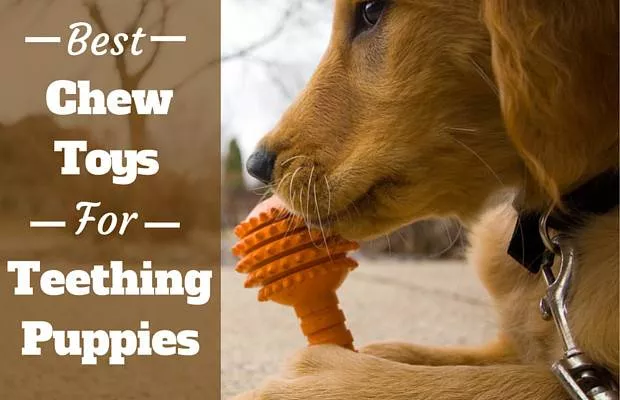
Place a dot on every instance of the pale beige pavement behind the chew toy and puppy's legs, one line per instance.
(424, 302)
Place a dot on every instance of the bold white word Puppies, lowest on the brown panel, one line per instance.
(115, 344)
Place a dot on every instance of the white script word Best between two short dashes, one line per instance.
(102, 43)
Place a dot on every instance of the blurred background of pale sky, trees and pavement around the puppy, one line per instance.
(411, 285)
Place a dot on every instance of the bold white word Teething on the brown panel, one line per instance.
(114, 281)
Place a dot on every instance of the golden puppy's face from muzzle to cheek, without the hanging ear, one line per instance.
(401, 121)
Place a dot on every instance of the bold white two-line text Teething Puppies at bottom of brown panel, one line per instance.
(195, 285)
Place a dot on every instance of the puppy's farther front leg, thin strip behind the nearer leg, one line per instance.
(497, 352)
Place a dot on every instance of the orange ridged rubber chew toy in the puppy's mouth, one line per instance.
(293, 267)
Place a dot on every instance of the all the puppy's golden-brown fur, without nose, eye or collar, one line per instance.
(433, 113)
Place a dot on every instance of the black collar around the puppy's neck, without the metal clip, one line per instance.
(596, 197)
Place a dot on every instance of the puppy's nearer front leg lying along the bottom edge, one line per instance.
(332, 373)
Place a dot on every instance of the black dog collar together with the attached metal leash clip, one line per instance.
(580, 377)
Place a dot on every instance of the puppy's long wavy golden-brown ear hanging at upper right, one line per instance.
(556, 65)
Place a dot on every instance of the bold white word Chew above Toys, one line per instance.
(65, 97)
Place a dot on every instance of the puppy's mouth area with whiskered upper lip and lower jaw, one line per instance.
(342, 200)
